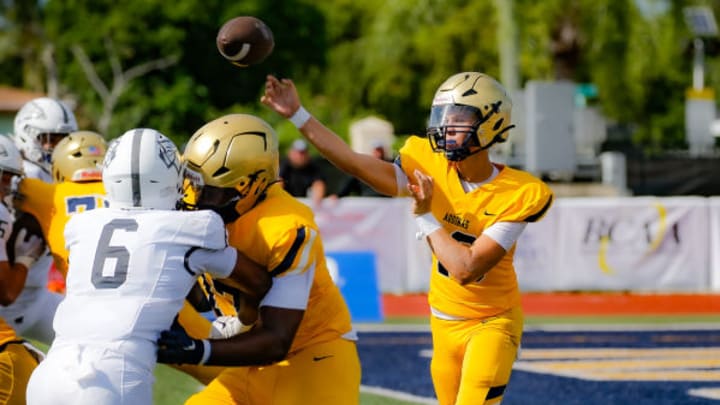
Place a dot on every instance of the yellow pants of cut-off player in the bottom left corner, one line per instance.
(16, 365)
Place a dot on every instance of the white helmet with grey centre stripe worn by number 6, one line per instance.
(142, 169)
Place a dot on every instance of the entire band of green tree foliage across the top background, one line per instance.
(351, 58)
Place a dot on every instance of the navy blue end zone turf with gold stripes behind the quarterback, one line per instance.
(400, 361)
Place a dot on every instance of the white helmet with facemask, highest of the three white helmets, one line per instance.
(38, 118)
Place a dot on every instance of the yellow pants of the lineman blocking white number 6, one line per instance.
(323, 374)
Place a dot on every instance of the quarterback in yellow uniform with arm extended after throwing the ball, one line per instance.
(470, 211)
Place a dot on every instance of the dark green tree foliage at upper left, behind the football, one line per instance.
(178, 99)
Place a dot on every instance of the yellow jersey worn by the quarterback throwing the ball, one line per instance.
(512, 196)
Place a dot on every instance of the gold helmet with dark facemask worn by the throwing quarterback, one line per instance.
(469, 102)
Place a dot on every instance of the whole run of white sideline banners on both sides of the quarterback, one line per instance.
(598, 244)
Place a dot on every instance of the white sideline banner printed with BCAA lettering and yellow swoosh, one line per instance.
(632, 243)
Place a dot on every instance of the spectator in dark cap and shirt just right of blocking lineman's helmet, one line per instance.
(301, 176)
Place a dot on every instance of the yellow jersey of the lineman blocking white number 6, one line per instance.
(280, 234)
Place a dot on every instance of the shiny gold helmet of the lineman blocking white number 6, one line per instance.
(231, 162)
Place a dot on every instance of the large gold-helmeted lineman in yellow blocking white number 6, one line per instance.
(302, 349)
